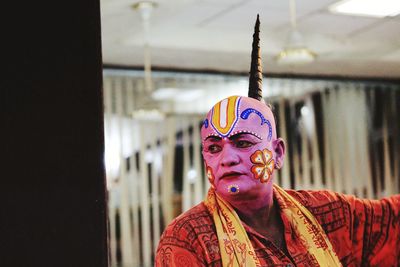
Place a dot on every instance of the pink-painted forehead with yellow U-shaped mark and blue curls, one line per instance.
(237, 114)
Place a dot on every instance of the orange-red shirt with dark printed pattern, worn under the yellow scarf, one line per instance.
(362, 233)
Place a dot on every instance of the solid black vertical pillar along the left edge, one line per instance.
(52, 190)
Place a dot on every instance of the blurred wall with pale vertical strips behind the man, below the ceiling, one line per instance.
(337, 134)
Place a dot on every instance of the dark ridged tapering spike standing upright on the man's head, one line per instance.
(255, 79)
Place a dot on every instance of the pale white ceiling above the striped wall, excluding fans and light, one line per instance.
(216, 35)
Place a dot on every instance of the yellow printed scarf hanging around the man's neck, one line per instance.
(236, 248)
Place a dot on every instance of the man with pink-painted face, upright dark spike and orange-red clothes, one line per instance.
(246, 220)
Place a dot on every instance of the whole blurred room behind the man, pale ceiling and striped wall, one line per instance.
(331, 71)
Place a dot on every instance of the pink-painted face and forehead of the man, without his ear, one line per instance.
(237, 137)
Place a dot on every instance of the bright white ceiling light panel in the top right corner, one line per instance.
(370, 8)
